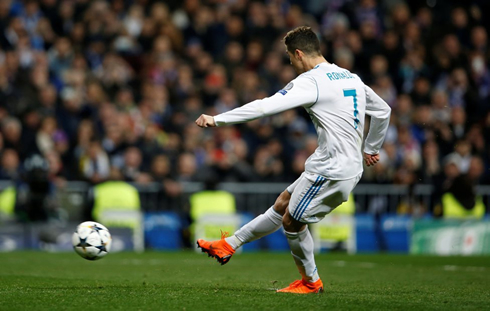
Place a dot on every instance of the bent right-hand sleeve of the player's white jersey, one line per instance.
(380, 113)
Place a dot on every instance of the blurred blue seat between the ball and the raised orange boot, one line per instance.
(163, 230)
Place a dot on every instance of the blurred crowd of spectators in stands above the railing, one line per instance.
(110, 89)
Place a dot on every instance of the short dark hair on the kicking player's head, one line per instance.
(303, 39)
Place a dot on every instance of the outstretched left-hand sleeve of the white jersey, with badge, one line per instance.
(301, 92)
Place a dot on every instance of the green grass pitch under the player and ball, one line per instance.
(192, 281)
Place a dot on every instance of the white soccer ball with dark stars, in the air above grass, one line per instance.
(91, 240)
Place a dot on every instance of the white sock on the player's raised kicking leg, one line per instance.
(260, 226)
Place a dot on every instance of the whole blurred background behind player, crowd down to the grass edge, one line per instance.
(99, 95)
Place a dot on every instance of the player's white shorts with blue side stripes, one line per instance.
(314, 196)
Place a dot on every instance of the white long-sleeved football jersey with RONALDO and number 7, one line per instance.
(337, 102)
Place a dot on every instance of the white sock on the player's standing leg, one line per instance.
(301, 244)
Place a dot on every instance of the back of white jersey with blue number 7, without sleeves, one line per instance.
(338, 116)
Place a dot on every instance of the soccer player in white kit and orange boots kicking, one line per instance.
(337, 101)
